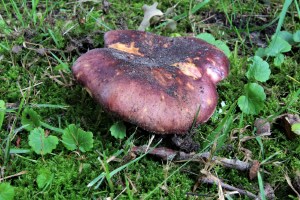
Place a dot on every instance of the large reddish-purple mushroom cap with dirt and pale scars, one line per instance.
(161, 84)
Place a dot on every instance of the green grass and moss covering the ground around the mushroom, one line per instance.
(40, 40)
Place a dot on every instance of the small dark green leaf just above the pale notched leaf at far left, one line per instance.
(30, 119)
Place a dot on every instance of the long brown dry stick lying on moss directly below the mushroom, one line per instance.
(169, 154)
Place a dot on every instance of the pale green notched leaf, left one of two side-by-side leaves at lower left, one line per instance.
(40, 143)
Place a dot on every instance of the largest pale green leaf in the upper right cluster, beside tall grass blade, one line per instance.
(277, 46)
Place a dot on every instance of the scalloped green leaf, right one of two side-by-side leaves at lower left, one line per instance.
(76, 138)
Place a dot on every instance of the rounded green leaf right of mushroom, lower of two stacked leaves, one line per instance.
(253, 100)
